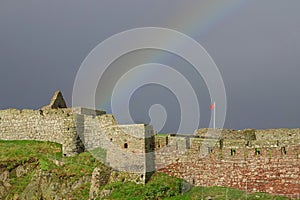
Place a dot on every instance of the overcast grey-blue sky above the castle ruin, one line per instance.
(255, 45)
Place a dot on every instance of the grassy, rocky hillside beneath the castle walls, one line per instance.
(36, 170)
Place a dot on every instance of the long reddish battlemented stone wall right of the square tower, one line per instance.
(257, 166)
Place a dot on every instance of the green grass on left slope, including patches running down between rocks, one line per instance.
(41, 155)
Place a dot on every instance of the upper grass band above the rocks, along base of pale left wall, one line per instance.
(17, 152)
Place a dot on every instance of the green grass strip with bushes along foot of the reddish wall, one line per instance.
(163, 187)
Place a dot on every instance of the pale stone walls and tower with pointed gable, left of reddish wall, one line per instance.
(123, 147)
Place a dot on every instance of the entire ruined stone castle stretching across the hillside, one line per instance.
(251, 160)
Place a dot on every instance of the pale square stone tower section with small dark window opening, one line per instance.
(124, 146)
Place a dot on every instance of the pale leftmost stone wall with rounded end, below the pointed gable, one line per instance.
(43, 125)
